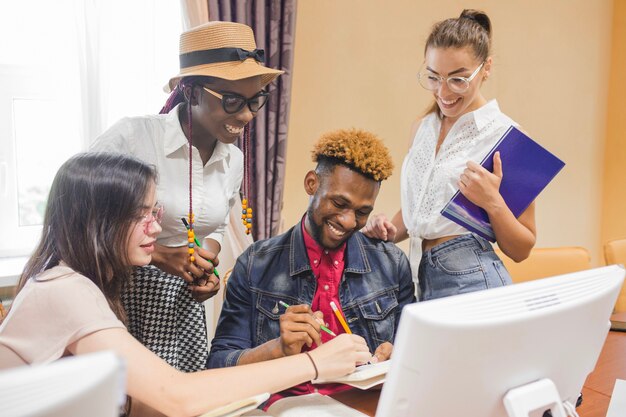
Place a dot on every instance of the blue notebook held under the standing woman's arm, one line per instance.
(527, 169)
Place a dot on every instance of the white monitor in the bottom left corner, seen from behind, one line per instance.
(87, 385)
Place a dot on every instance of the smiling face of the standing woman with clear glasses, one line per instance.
(457, 62)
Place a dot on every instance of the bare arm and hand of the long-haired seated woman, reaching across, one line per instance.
(154, 383)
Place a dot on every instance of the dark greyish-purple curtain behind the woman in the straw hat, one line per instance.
(273, 23)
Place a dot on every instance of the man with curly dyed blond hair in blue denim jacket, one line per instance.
(322, 259)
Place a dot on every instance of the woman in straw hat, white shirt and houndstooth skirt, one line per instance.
(218, 91)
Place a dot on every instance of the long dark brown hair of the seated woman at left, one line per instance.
(94, 201)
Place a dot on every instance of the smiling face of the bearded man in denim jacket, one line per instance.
(341, 201)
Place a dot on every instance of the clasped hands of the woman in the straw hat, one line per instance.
(199, 274)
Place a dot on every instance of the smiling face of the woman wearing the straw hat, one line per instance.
(209, 117)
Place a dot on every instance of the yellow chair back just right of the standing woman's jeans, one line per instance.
(546, 262)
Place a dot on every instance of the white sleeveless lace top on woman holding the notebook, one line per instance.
(429, 181)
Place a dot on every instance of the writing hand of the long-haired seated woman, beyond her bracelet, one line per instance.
(340, 356)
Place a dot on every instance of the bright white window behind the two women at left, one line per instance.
(68, 70)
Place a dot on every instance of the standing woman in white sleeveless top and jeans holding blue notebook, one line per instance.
(459, 128)
